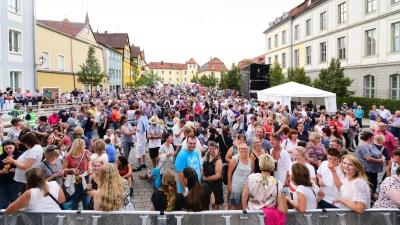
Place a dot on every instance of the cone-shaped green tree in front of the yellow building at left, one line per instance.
(90, 72)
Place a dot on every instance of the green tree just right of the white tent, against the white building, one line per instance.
(332, 79)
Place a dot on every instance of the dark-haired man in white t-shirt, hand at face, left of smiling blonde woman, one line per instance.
(325, 177)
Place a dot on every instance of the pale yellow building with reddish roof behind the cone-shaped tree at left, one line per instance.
(64, 50)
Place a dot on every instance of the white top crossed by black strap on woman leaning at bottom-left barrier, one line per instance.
(39, 202)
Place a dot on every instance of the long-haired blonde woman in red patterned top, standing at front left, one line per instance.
(76, 164)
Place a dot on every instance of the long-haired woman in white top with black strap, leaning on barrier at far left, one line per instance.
(40, 194)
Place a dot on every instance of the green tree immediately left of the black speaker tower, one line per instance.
(232, 79)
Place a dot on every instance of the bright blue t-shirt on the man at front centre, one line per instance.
(185, 159)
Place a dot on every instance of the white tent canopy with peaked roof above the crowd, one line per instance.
(292, 91)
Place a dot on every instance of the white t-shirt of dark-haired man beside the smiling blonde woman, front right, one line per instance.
(330, 189)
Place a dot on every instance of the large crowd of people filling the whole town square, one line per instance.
(270, 156)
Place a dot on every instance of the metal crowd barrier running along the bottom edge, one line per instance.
(237, 217)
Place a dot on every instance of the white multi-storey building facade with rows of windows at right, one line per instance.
(363, 34)
